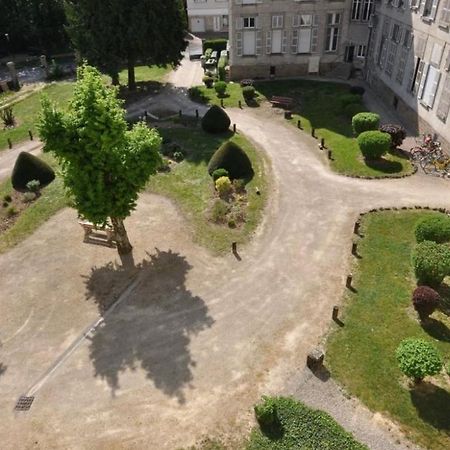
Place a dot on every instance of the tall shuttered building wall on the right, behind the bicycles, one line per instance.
(409, 61)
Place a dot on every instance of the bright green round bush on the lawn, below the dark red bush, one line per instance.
(418, 358)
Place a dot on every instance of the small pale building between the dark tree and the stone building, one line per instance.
(208, 16)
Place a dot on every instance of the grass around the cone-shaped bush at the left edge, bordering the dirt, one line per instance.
(53, 199)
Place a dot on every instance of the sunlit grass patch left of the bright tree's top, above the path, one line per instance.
(26, 112)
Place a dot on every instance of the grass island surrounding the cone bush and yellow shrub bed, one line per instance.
(189, 184)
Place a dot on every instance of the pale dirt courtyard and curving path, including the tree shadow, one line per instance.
(195, 339)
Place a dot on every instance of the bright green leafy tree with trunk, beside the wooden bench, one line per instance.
(104, 165)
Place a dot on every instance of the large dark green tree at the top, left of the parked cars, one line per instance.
(115, 33)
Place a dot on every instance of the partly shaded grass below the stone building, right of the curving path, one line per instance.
(319, 107)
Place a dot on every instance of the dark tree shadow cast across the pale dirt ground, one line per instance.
(152, 328)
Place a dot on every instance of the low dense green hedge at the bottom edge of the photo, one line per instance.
(299, 427)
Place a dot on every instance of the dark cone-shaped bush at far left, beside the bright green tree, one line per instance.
(29, 167)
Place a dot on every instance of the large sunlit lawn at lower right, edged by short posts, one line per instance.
(361, 354)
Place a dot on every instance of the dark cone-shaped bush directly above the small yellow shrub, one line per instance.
(233, 159)
